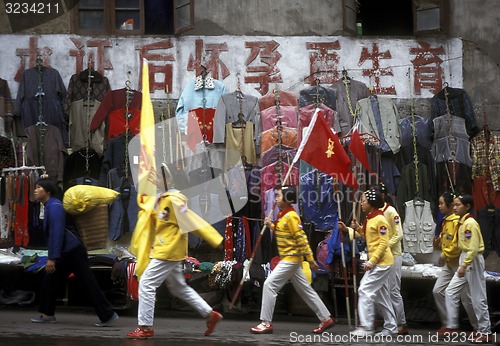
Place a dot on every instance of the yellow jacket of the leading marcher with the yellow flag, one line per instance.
(173, 222)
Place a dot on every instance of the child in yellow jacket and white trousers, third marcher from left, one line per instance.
(373, 287)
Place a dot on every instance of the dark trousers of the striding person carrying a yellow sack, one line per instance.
(76, 261)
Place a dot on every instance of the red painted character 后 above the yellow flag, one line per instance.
(158, 58)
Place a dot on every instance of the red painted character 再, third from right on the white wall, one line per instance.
(323, 63)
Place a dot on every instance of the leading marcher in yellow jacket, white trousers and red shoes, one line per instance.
(173, 220)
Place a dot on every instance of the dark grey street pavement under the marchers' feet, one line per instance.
(75, 327)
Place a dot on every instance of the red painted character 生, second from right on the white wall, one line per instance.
(376, 71)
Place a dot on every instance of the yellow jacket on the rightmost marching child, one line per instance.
(470, 239)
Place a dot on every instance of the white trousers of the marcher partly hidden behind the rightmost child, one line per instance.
(439, 292)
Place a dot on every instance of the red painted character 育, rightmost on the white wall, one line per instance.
(428, 73)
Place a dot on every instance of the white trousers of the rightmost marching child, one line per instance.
(474, 279)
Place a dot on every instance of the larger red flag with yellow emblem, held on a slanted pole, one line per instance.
(321, 148)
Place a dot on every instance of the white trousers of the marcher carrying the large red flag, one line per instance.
(292, 271)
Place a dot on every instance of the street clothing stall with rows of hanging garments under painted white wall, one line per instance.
(230, 114)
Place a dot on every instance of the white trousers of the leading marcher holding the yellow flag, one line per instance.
(156, 272)
